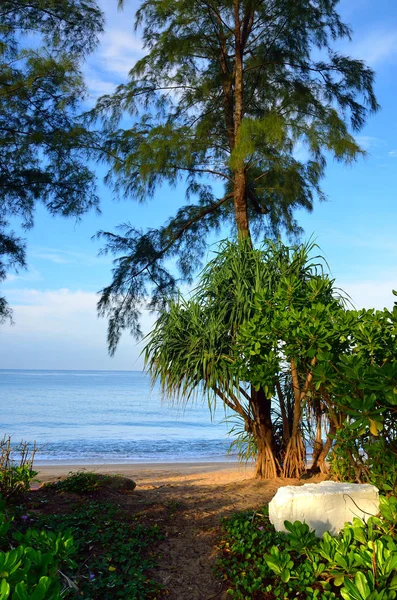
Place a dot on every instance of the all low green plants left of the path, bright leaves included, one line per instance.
(94, 552)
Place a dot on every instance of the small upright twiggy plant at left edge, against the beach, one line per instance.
(16, 474)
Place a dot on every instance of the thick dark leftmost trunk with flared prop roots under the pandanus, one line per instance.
(267, 466)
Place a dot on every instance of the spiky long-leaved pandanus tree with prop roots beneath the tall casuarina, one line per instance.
(257, 317)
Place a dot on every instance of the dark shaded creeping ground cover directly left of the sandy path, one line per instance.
(114, 552)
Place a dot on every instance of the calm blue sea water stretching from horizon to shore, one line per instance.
(83, 417)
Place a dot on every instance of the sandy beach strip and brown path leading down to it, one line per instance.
(188, 500)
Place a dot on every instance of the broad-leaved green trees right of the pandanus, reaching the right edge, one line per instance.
(342, 365)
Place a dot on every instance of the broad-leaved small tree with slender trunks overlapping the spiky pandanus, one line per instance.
(295, 325)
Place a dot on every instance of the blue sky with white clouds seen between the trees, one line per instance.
(55, 321)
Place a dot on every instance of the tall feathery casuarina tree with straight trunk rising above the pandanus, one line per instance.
(224, 96)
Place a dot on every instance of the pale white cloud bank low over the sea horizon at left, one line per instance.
(59, 329)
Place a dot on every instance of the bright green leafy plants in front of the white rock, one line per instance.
(360, 563)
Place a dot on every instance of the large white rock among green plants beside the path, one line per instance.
(324, 506)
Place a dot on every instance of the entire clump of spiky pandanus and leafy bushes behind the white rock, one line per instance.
(268, 334)
